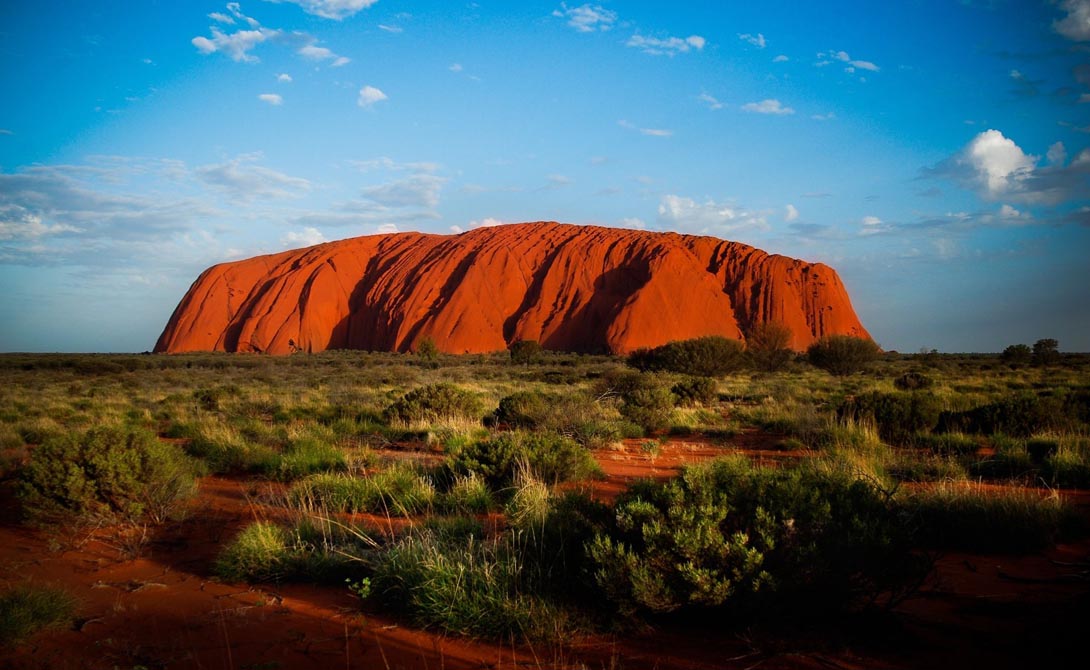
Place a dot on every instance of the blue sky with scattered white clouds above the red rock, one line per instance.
(937, 154)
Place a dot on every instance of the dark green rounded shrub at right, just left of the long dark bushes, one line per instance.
(898, 417)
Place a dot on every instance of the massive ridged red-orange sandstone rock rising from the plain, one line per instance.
(573, 288)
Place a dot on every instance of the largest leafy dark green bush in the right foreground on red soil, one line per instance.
(728, 532)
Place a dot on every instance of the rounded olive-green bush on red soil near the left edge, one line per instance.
(106, 472)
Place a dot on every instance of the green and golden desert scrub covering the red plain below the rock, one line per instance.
(457, 492)
